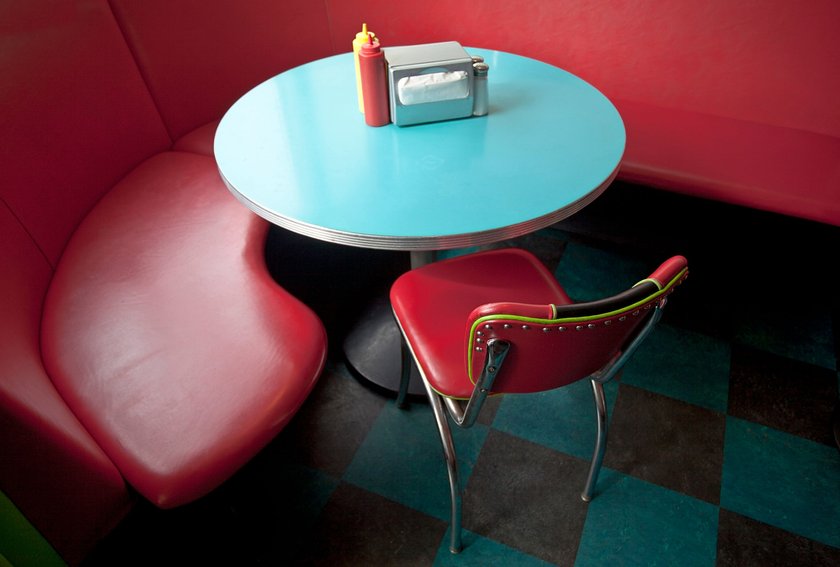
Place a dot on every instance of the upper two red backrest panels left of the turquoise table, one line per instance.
(98, 87)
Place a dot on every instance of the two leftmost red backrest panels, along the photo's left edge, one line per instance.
(75, 116)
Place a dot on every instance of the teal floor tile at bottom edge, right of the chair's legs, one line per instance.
(638, 523)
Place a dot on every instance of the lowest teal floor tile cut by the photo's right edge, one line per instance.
(782, 480)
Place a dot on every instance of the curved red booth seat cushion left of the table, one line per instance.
(167, 337)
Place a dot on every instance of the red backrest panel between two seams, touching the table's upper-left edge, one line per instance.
(199, 57)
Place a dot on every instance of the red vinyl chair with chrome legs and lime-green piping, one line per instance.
(498, 322)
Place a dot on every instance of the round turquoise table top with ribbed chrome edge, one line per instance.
(296, 150)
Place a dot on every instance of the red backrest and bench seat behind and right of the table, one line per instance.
(732, 101)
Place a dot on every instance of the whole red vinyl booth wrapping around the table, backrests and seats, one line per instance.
(133, 283)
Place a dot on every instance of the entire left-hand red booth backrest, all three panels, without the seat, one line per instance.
(89, 90)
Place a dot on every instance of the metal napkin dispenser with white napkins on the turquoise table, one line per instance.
(429, 82)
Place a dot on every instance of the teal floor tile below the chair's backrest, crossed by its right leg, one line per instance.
(563, 419)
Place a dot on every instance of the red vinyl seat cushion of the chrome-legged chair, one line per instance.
(433, 303)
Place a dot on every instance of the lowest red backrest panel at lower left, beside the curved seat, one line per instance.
(50, 466)
